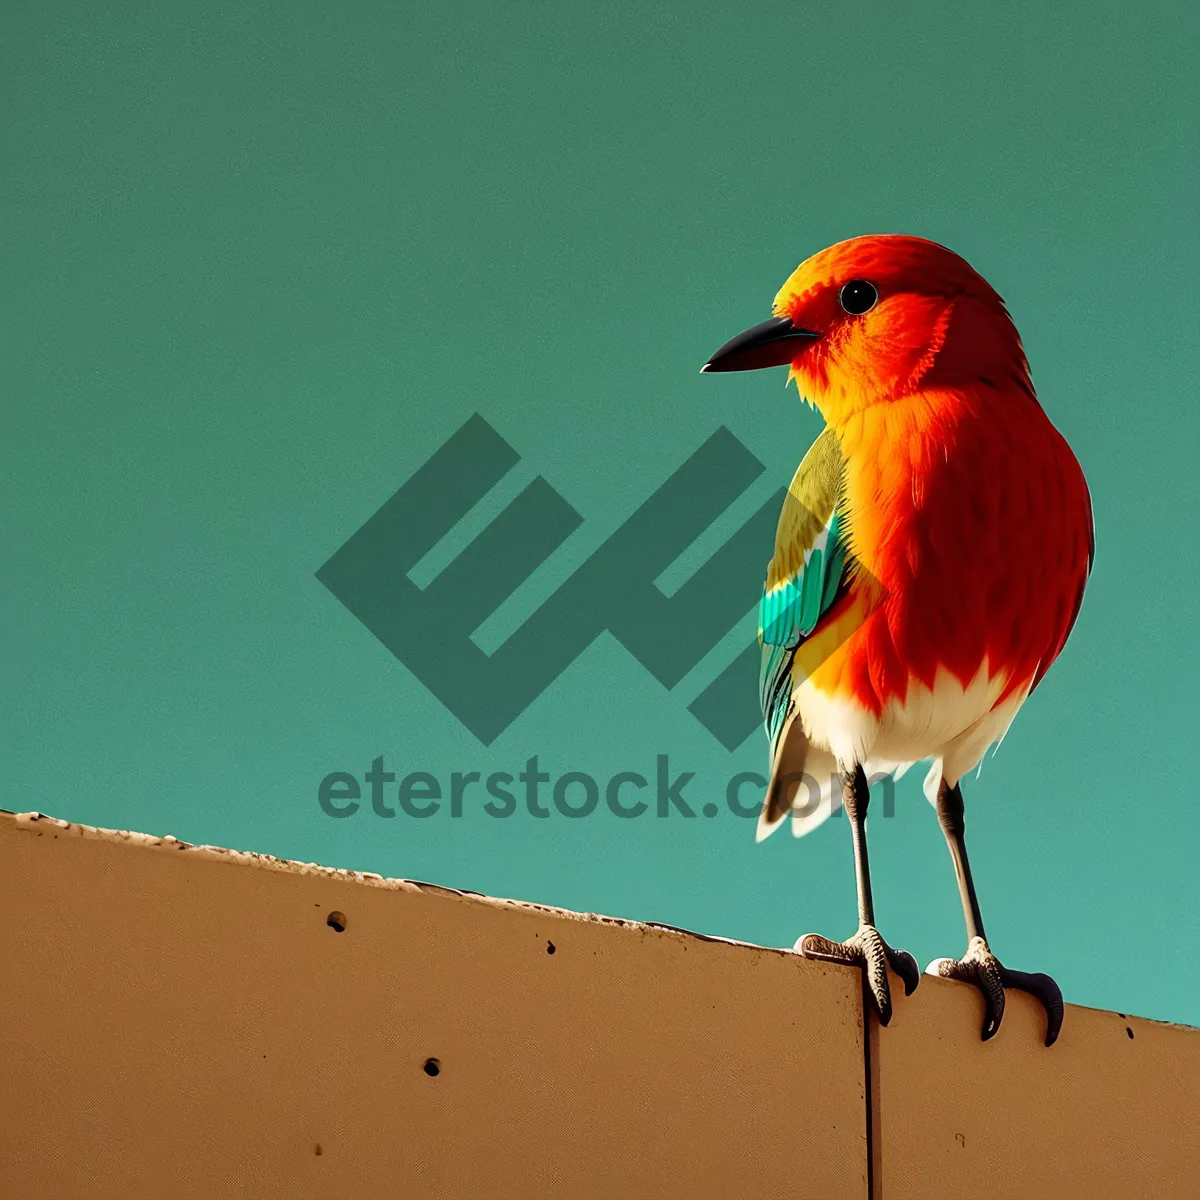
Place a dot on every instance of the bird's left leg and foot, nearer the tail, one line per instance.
(866, 949)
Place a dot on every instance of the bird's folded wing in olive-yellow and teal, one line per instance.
(806, 577)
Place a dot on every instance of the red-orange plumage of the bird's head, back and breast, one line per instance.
(967, 505)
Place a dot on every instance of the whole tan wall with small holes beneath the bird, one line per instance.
(184, 1022)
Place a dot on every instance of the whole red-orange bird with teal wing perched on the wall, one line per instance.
(931, 562)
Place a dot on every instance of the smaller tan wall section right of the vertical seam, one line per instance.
(1112, 1111)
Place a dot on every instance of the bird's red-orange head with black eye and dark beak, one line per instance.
(875, 320)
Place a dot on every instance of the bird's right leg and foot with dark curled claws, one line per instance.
(980, 967)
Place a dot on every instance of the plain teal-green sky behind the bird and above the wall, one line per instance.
(261, 261)
